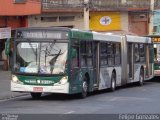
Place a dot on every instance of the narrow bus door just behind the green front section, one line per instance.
(96, 64)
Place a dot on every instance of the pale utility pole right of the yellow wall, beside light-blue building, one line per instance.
(151, 17)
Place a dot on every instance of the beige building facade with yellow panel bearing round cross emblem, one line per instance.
(131, 16)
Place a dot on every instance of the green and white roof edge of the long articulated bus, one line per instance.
(91, 35)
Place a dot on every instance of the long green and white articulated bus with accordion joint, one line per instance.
(70, 61)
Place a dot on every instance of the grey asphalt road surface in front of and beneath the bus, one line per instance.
(128, 99)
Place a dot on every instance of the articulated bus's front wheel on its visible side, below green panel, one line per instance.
(83, 94)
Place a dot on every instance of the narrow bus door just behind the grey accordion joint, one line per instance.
(130, 61)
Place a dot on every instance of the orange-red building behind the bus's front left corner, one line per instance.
(14, 14)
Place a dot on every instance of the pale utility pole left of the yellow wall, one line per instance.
(86, 14)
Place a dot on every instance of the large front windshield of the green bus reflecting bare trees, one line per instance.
(41, 57)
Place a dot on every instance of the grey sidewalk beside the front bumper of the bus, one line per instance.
(5, 93)
